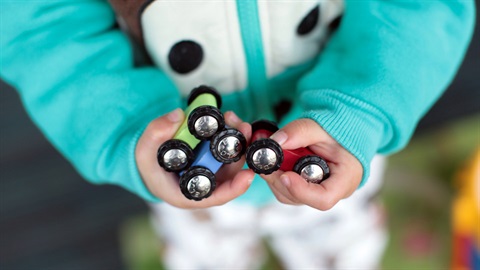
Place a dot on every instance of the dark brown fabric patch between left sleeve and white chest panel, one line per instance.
(128, 13)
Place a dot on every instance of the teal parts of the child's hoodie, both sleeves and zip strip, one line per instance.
(379, 73)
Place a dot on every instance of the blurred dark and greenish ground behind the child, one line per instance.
(50, 218)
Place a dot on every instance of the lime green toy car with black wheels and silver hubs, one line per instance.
(204, 120)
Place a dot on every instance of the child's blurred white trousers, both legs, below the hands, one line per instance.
(352, 235)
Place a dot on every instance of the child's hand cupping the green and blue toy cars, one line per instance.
(232, 181)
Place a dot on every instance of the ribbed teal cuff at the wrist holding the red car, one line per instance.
(355, 125)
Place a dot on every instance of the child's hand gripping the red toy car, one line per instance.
(345, 170)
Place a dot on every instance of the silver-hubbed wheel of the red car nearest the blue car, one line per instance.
(264, 156)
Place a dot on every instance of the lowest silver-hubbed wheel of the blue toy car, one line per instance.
(197, 183)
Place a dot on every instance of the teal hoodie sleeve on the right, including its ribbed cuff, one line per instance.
(388, 62)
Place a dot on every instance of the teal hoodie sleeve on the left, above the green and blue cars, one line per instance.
(74, 72)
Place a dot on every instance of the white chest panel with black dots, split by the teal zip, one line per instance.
(214, 25)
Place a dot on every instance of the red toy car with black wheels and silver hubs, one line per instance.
(265, 156)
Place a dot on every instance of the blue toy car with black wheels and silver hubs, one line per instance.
(198, 182)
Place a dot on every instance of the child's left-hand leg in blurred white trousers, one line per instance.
(223, 237)
